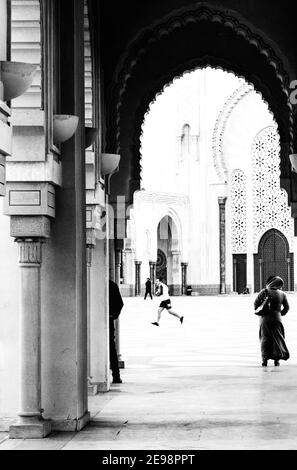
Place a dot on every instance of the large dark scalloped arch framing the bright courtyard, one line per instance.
(193, 36)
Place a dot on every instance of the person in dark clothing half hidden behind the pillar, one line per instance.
(115, 306)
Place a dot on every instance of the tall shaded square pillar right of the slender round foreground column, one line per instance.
(64, 301)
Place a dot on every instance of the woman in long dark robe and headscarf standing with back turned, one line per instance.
(272, 333)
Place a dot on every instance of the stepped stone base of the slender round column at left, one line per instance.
(30, 428)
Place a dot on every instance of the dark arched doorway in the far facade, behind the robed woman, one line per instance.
(274, 258)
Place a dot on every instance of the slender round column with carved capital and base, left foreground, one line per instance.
(31, 424)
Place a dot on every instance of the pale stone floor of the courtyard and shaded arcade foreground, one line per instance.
(199, 385)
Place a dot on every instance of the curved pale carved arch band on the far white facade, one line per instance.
(219, 129)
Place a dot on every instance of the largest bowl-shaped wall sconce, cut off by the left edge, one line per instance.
(16, 78)
